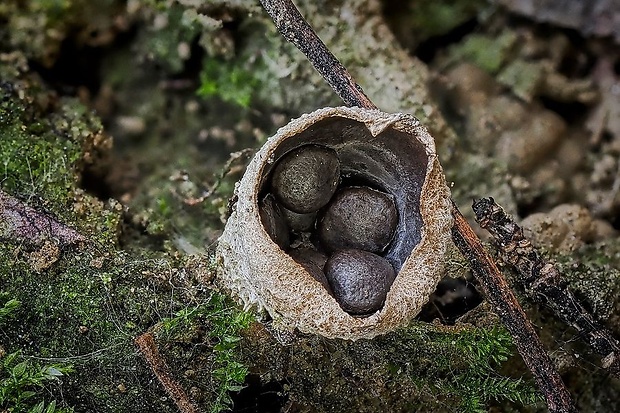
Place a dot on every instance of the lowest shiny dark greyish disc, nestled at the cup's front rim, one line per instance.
(360, 280)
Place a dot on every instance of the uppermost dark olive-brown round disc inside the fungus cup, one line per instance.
(305, 179)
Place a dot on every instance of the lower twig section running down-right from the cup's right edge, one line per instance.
(500, 295)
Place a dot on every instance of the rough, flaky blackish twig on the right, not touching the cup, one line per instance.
(543, 282)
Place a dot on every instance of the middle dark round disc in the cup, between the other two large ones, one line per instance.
(359, 218)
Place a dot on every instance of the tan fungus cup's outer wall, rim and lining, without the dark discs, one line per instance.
(391, 153)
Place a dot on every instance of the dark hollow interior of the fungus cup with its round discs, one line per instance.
(390, 168)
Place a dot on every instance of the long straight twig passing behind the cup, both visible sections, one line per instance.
(295, 29)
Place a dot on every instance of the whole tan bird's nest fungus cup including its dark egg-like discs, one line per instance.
(282, 261)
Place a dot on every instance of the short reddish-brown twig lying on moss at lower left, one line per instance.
(147, 346)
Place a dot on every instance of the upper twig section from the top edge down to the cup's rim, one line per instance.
(294, 28)
